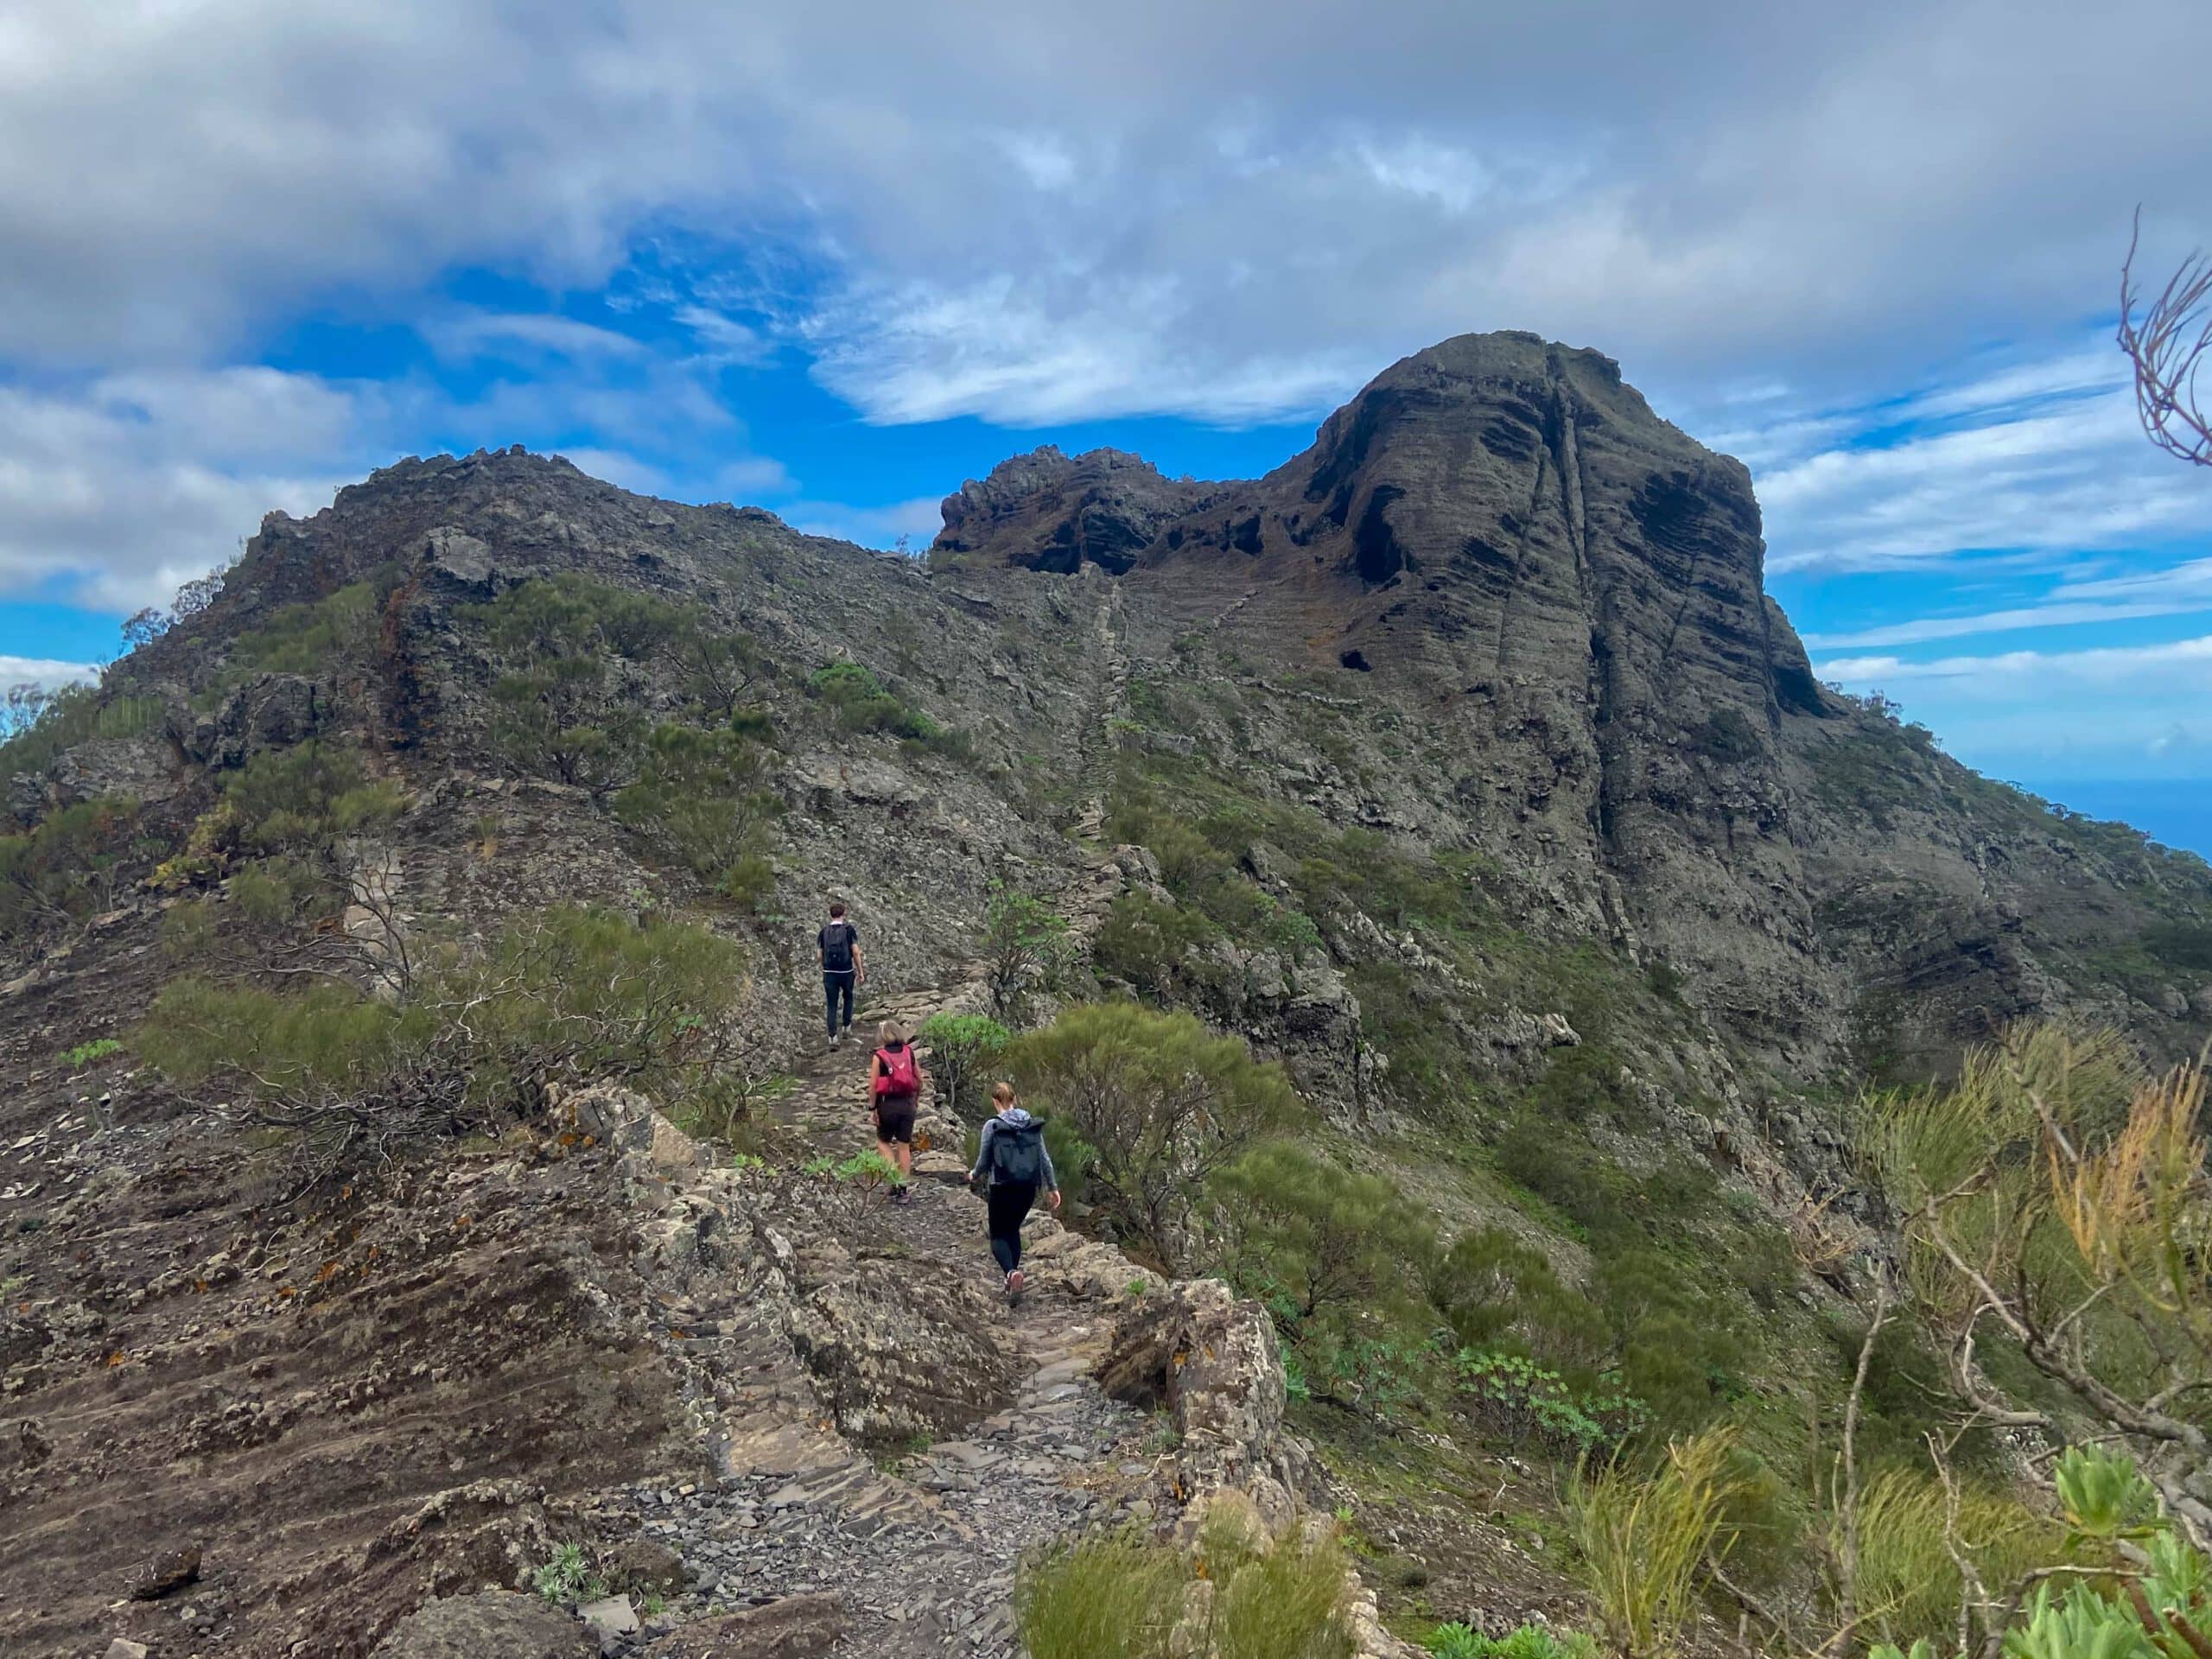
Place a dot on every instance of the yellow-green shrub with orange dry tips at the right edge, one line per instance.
(2058, 1200)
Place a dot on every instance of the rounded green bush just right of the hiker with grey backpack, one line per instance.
(1165, 1105)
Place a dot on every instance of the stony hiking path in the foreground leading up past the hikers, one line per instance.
(921, 1541)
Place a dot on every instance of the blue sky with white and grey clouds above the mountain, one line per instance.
(839, 260)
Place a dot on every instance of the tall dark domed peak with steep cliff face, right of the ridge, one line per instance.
(1561, 598)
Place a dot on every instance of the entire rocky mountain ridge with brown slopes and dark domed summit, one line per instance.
(1461, 764)
